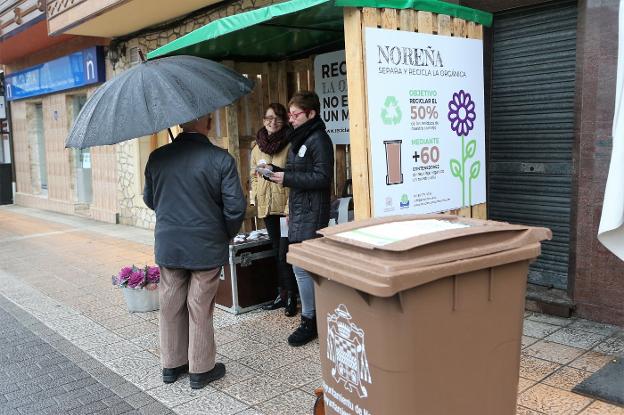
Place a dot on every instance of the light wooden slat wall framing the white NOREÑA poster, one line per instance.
(355, 20)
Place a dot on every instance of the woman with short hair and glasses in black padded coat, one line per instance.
(308, 175)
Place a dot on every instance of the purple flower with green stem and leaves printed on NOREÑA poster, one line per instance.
(462, 116)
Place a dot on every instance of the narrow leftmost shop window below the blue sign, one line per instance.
(36, 134)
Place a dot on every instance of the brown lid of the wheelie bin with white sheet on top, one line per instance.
(383, 256)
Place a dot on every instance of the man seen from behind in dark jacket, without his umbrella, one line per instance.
(194, 188)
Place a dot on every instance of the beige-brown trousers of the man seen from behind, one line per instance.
(187, 300)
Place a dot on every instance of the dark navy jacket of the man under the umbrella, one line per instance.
(193, 187)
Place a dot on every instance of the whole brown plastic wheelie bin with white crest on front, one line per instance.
(414, 323)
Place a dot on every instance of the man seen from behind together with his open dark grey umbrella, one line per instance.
(192, 186)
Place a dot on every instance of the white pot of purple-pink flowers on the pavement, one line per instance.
(139, 286)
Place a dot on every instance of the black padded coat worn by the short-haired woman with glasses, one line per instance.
(309, 173)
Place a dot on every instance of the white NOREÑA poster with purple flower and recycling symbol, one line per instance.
(426, 121)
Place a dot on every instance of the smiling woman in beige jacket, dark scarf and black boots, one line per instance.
(272, 144)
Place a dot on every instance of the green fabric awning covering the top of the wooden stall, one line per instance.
(291, 30)
